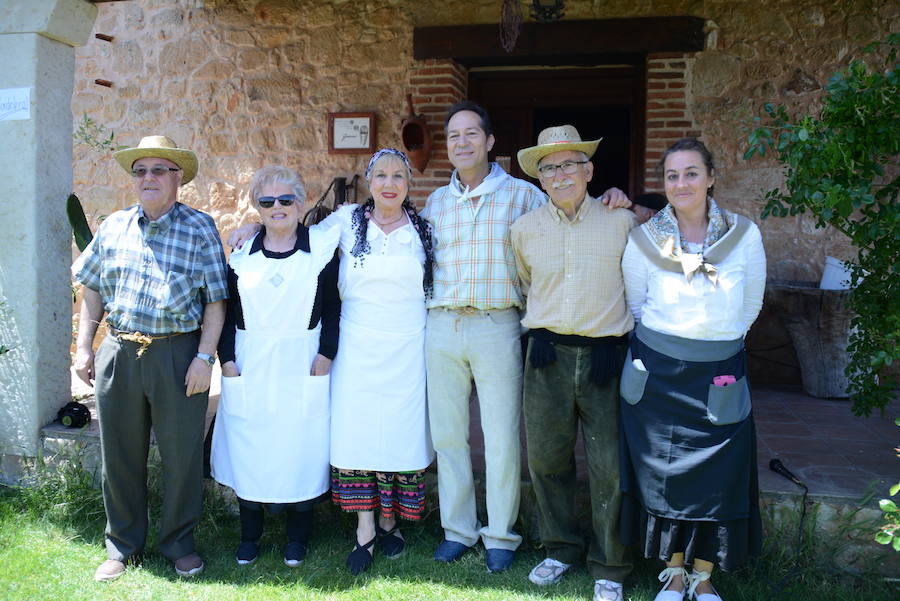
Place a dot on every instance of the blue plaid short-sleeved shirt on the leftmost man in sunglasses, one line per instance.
(155, 277)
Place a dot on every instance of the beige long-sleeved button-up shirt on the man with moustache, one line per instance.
(571, 270)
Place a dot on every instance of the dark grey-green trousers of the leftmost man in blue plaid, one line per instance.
(133, 395)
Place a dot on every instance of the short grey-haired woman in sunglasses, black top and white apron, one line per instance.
(271, 437)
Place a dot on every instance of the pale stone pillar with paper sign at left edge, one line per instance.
(37, 40)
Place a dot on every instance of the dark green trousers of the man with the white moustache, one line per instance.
(556, 397)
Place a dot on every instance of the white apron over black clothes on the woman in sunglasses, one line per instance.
(270, 443)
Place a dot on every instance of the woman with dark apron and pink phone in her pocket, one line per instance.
(694, 280)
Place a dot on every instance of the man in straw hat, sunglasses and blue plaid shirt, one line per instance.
(157, 271)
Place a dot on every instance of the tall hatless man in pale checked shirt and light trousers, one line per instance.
(473, 333)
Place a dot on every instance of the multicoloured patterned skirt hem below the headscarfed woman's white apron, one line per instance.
(398, 494)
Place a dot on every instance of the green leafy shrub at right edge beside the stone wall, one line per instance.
(842, 167)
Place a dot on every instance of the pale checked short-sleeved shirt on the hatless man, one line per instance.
(474, 265)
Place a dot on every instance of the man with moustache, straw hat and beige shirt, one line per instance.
(568, 257)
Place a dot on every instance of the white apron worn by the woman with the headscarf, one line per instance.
(379, 419)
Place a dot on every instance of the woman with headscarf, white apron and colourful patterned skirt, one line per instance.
(380, 443)
